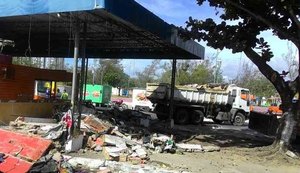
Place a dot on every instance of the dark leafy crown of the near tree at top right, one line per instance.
(252, 18)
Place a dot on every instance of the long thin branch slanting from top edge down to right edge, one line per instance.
(295, 41)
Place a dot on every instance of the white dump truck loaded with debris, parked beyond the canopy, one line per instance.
(220, 102)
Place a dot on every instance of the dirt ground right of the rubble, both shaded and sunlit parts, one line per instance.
(242, 151)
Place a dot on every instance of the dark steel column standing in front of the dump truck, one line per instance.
(171, 117)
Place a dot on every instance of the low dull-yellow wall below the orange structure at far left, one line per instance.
(11, 111)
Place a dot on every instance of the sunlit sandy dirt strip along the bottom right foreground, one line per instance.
(226, 161)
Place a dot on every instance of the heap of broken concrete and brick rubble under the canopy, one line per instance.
(119, 141)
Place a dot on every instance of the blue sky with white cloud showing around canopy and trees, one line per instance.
(177, 13)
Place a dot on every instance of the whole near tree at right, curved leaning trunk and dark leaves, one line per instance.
(244, 35)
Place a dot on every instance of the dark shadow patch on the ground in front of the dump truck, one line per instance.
(214, 134)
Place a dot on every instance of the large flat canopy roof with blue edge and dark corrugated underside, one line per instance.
(115, 29)
